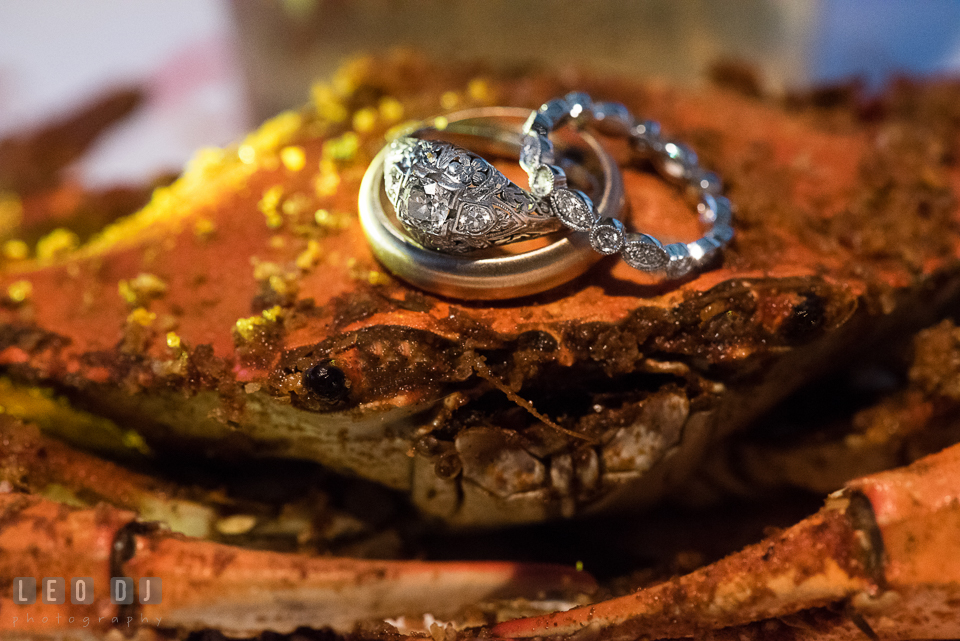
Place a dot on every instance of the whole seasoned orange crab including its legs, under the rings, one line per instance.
(239, 315)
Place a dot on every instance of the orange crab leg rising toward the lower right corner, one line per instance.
(887, 546)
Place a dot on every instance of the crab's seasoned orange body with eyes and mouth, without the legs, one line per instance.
(201, 321)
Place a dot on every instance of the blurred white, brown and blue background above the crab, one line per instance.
(210, 69)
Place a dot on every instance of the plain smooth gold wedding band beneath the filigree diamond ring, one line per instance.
(491, 277)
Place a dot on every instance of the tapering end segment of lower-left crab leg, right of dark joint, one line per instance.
(239, 591)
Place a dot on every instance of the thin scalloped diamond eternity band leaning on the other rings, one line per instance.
(674, 160)
